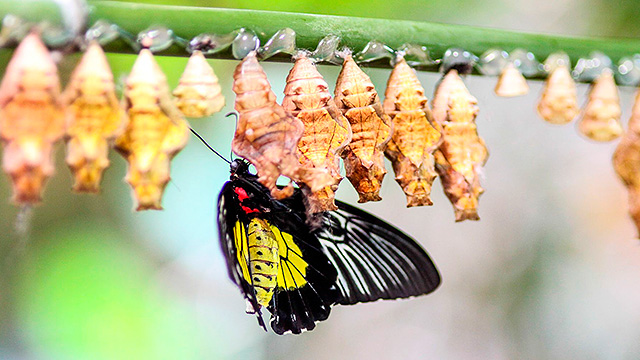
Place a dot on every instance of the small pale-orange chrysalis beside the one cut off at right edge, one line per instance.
(601, 119)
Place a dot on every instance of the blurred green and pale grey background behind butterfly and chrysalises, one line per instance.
(550, 272)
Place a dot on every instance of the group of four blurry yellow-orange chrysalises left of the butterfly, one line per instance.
(148, 129)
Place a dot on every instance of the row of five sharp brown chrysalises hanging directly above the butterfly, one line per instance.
(304, 137)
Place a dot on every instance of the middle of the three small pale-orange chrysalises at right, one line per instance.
(559, 101)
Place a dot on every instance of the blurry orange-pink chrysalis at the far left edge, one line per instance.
(31, 118)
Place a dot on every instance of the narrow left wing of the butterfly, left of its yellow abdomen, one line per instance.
(232, 228)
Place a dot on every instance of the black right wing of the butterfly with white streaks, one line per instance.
(374, 260)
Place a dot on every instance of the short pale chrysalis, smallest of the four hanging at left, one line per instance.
(198, 93)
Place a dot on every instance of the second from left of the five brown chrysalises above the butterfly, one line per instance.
(326, 131)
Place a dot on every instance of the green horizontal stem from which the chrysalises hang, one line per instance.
(187, 22)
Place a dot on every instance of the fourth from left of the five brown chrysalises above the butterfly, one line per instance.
(415, 135)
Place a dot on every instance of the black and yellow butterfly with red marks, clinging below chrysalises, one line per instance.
(298, 268)
